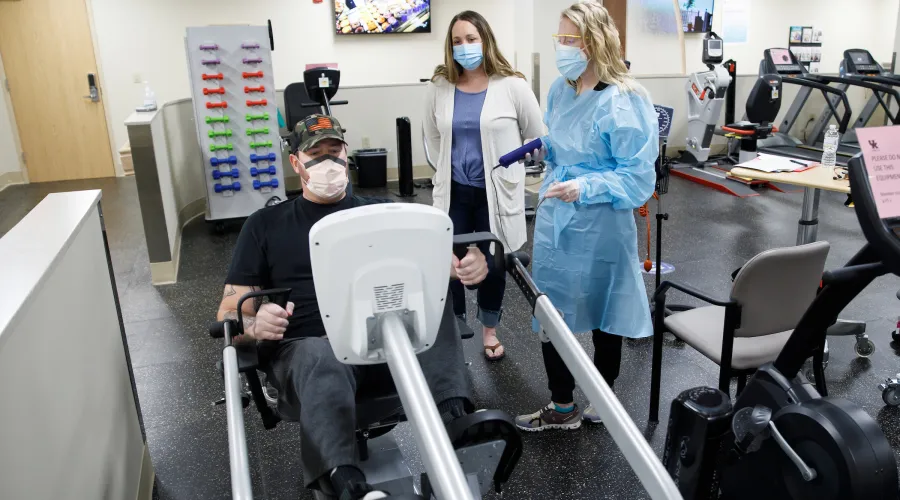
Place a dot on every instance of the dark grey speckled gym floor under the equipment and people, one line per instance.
(708, 235)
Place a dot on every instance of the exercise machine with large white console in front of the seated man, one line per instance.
(386, 309)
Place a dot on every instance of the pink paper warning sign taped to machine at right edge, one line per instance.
(881, 149)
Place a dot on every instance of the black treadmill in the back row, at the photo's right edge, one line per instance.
(859, 64)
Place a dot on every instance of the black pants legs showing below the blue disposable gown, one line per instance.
(607, 359)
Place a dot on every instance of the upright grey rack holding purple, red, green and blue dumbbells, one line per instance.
(233, 90)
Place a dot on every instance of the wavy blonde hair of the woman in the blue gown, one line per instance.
(601, 39)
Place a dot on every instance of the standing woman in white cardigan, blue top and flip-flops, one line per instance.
(478, 109)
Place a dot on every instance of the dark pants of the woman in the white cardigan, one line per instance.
(470, 214)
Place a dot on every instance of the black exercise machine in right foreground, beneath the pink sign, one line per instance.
(781, 438)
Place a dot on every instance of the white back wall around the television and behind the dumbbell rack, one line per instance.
(139, 39)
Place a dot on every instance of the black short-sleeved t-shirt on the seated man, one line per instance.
(273, 252)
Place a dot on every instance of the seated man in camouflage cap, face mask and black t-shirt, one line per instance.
(314, 388)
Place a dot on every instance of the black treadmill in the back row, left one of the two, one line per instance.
(785, 64)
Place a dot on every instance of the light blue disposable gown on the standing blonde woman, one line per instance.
(585, 253)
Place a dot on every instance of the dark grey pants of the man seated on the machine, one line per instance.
(306, 370)
